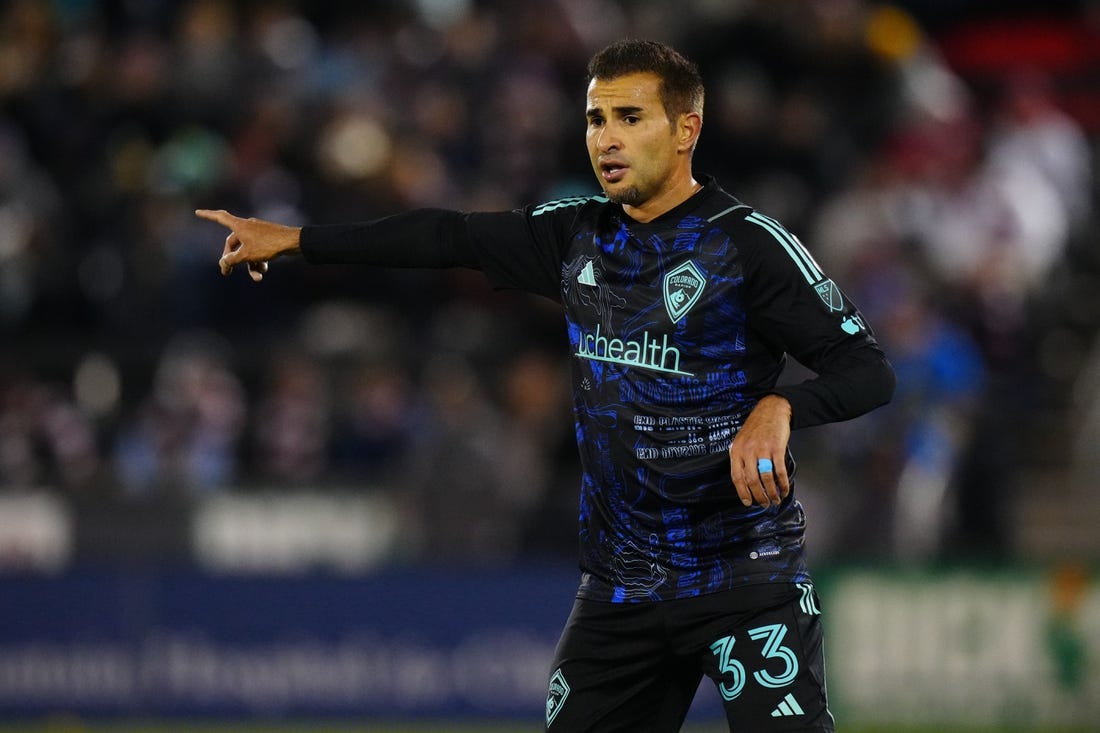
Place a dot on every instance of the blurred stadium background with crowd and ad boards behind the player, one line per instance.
(348, 494)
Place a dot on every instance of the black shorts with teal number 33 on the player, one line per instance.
(635, 668)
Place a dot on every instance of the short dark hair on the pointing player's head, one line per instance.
(681, 87)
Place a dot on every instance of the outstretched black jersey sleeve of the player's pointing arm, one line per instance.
(516, 250)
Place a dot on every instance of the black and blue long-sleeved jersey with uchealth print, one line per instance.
(677, 329)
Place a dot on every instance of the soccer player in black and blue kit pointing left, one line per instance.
(681, 305)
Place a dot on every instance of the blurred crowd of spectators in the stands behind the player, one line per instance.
(950, 193)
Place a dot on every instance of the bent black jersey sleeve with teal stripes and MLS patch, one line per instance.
(796, 309)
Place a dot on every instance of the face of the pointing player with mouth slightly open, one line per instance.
(632, 145)
